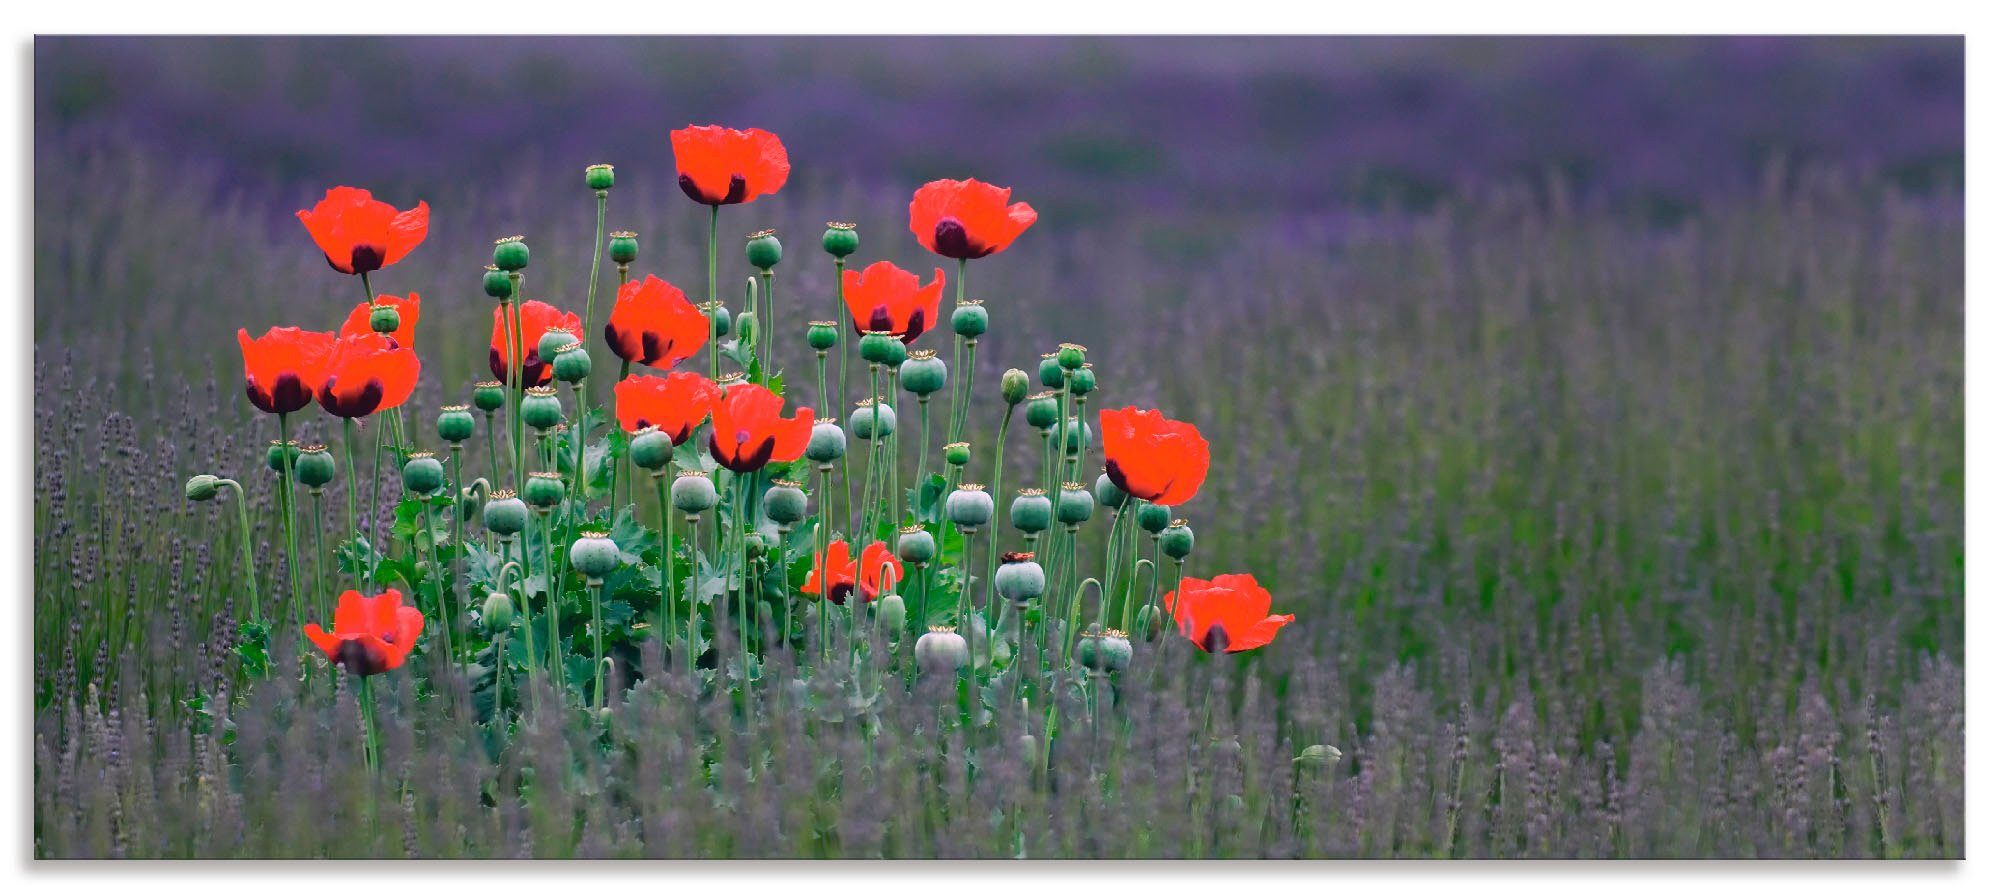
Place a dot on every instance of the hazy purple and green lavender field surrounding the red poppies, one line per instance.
(1595, 405)
